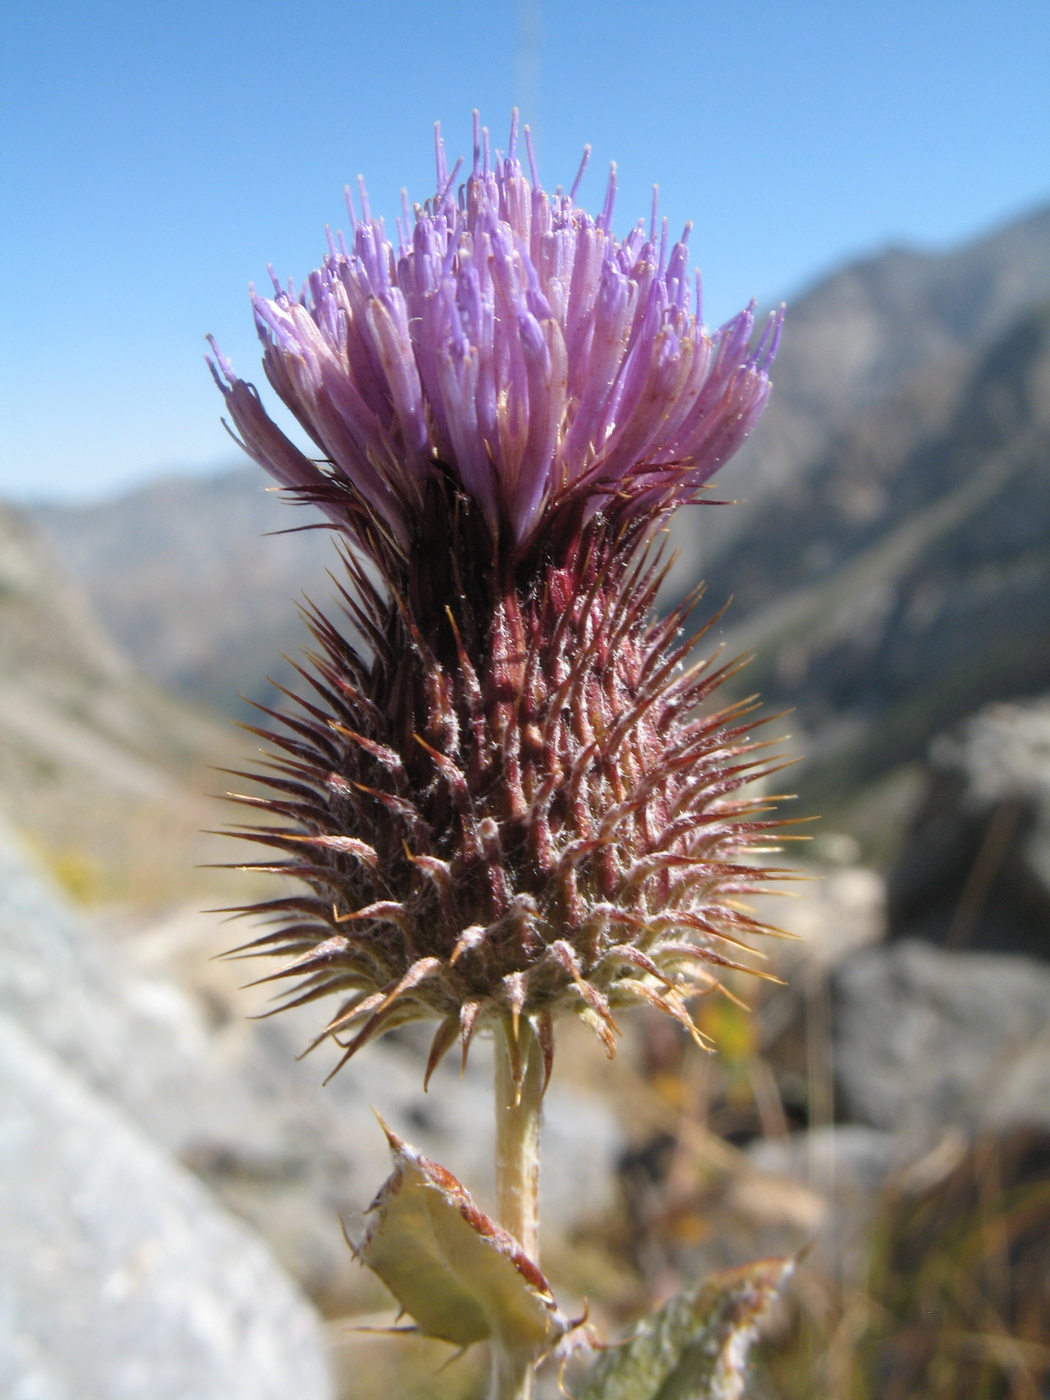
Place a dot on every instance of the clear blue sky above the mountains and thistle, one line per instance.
(159, 155)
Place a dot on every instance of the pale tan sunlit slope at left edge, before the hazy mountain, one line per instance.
(100, 771)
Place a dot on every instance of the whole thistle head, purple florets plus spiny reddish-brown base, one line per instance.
(500, 794)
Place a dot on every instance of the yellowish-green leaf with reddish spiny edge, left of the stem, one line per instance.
(453, 1269)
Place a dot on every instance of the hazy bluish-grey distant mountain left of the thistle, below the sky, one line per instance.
(198, 579)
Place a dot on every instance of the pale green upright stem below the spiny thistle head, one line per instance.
(517, 1179)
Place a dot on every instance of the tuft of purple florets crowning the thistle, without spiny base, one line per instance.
(512, 339)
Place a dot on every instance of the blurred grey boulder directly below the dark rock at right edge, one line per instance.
(926, 1039)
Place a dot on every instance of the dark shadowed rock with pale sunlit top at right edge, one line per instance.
(975, 867)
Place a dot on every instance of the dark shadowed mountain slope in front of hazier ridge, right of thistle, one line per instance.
(911, 568)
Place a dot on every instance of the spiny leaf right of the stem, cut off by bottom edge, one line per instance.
(696, 1346)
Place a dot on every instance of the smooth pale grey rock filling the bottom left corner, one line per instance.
(121, 1277)
